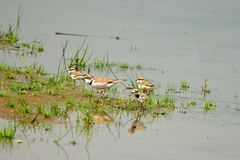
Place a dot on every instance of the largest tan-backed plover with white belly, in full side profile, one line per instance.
(101, 83)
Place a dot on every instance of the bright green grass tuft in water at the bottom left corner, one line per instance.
(7, 133)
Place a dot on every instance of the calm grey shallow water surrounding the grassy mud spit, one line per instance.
(192, 40)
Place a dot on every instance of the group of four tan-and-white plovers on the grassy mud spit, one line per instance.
(104, 83)
